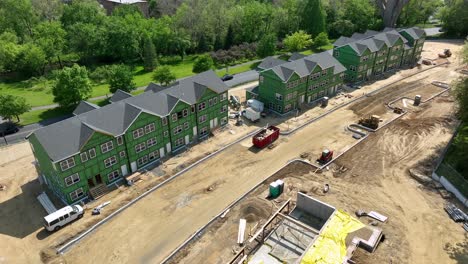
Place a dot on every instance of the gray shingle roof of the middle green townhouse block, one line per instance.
(303, 67)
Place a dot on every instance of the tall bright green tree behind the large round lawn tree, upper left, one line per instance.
(50, 37)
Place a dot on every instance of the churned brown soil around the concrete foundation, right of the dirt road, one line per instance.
(376, 178)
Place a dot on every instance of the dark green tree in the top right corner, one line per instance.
(454, 17)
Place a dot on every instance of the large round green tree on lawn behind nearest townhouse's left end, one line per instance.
(72, 86)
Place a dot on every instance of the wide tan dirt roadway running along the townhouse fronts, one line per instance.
(155, 226)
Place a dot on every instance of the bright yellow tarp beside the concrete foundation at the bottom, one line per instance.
(330, 247)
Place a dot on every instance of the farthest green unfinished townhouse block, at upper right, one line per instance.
(373, 53)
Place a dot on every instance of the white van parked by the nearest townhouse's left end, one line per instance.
(59, 218)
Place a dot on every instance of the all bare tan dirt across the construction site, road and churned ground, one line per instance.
(151, 229)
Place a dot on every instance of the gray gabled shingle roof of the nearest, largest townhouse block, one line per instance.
(66, 138)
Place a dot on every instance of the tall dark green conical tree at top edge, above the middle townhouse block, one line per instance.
(313, 17)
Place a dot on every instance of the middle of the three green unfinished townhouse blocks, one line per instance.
(287, 86)
